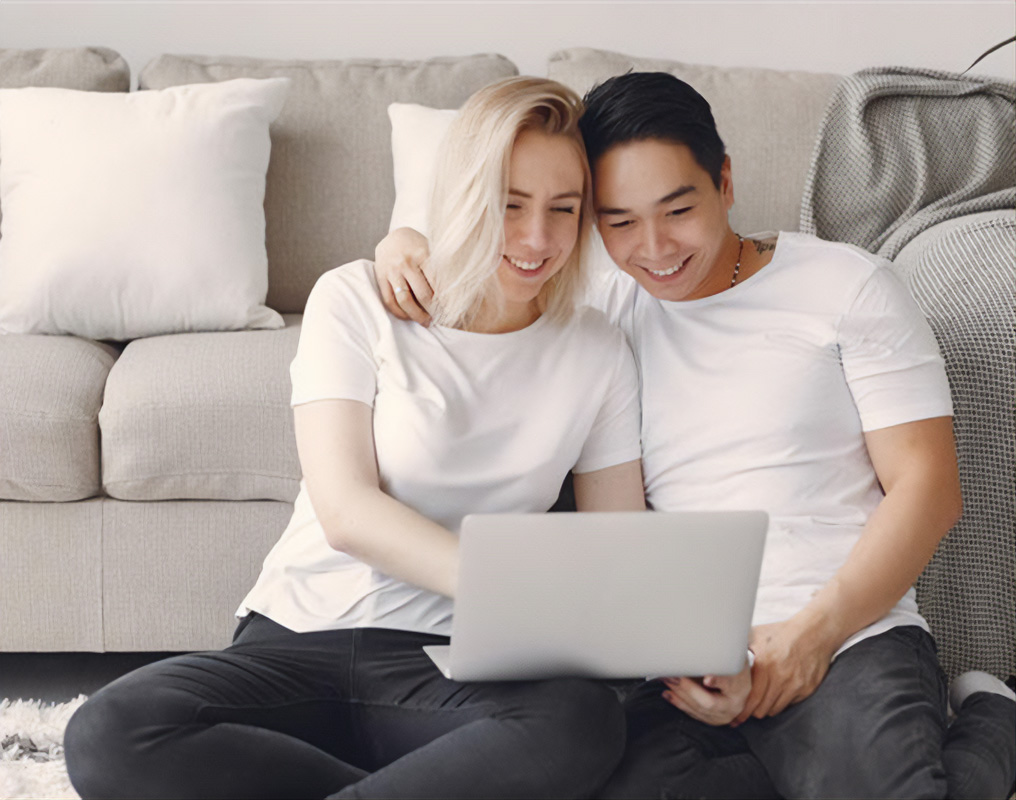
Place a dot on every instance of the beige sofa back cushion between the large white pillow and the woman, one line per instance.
(331, 188)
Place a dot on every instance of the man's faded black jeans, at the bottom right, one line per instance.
(876, 727)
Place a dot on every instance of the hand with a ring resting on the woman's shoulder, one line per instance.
(399, 262)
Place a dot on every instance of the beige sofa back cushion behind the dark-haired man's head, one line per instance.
(769, 120)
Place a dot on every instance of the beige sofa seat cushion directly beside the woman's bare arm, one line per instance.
(203, 416)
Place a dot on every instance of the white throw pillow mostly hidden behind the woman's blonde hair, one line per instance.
(417, 133)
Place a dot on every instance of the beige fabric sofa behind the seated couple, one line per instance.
(143, 483)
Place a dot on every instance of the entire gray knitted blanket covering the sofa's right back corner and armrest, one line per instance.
(921, 167)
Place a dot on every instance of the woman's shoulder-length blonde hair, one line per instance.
(471, 193)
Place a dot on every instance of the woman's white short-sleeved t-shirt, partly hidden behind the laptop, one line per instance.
(464, 423)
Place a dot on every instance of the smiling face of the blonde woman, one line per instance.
(542, 219)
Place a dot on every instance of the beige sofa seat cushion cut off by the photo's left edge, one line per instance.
(51, 389)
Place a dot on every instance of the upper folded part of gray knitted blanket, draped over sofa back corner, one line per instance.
(902, 150)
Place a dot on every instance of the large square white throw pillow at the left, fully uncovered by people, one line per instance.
(134, 215)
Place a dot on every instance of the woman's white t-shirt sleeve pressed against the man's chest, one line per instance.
(615, 437)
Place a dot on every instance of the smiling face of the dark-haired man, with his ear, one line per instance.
(663, 220)
